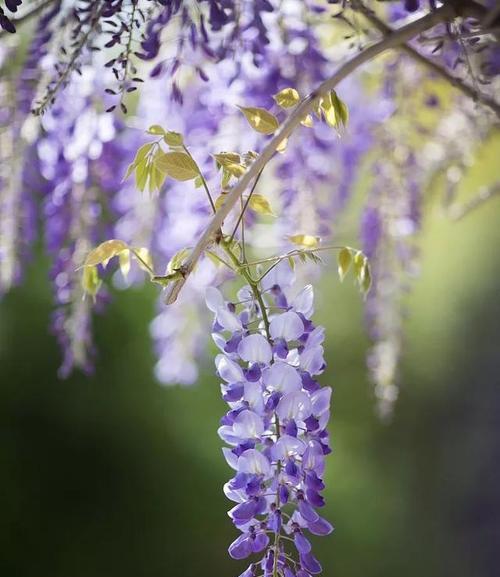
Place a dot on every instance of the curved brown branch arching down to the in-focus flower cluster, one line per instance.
(401, 36)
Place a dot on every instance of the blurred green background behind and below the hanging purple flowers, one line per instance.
(116, 476)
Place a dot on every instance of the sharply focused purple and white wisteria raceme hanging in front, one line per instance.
(276, 424)
